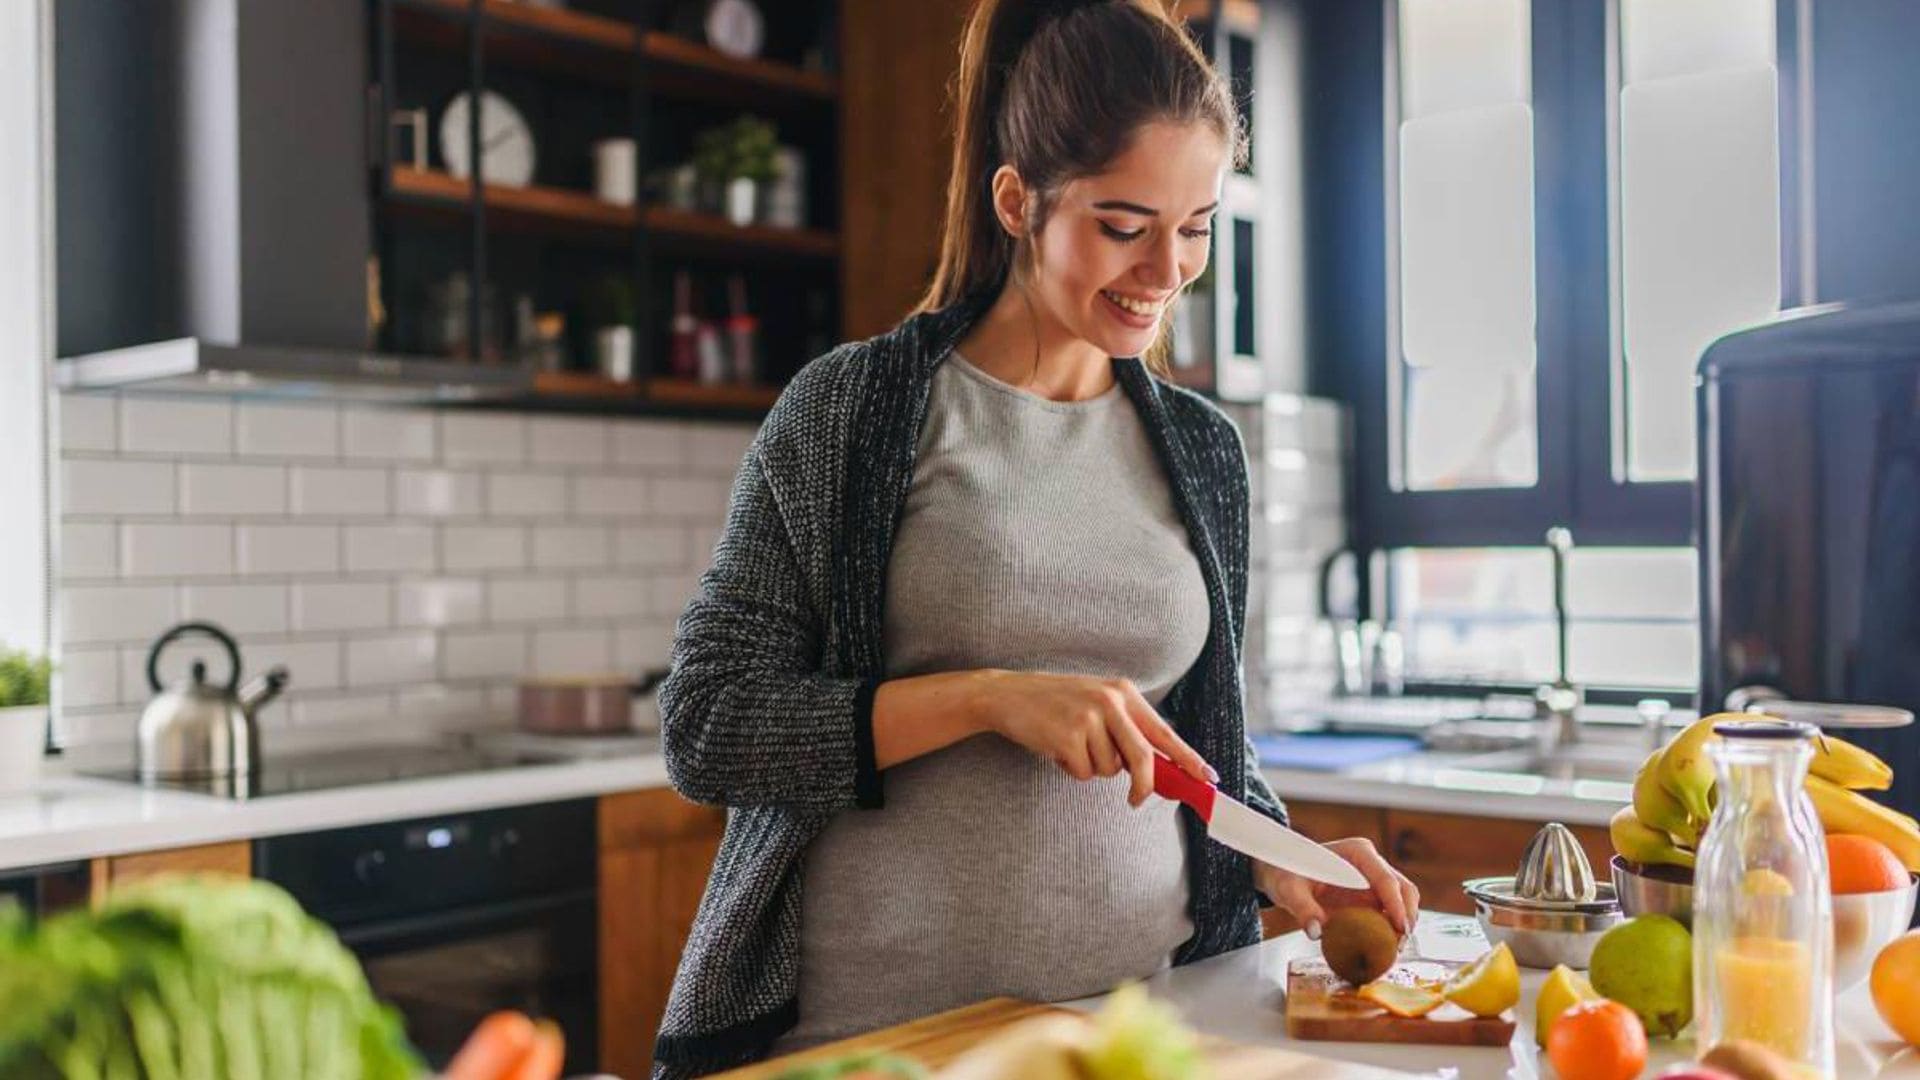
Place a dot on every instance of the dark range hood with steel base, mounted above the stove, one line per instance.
(237, 255)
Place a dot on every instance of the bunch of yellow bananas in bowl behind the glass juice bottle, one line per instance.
(1675, 797)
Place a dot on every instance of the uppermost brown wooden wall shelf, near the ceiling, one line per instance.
(565, 41)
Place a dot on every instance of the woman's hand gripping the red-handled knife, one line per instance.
(1088, 725)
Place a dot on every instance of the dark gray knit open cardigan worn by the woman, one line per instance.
(777, 658)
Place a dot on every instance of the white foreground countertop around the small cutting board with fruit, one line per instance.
(1241, 996)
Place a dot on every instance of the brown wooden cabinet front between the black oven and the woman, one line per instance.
(654, 864)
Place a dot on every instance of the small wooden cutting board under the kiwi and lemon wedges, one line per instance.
(1322, 1006)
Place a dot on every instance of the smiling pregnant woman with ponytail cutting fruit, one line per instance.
(976, 572)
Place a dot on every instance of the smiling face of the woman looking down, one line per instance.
(1118, 247)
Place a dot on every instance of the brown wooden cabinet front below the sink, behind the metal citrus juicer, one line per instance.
(1441, 850)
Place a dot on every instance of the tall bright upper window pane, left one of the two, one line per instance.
(1466, 372)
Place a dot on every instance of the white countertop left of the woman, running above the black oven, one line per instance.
(82, 818)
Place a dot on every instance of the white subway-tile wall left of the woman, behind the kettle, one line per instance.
(398, 562)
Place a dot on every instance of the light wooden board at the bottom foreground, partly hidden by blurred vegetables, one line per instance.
(940, 1039)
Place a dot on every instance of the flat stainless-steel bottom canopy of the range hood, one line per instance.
(191, 366)
